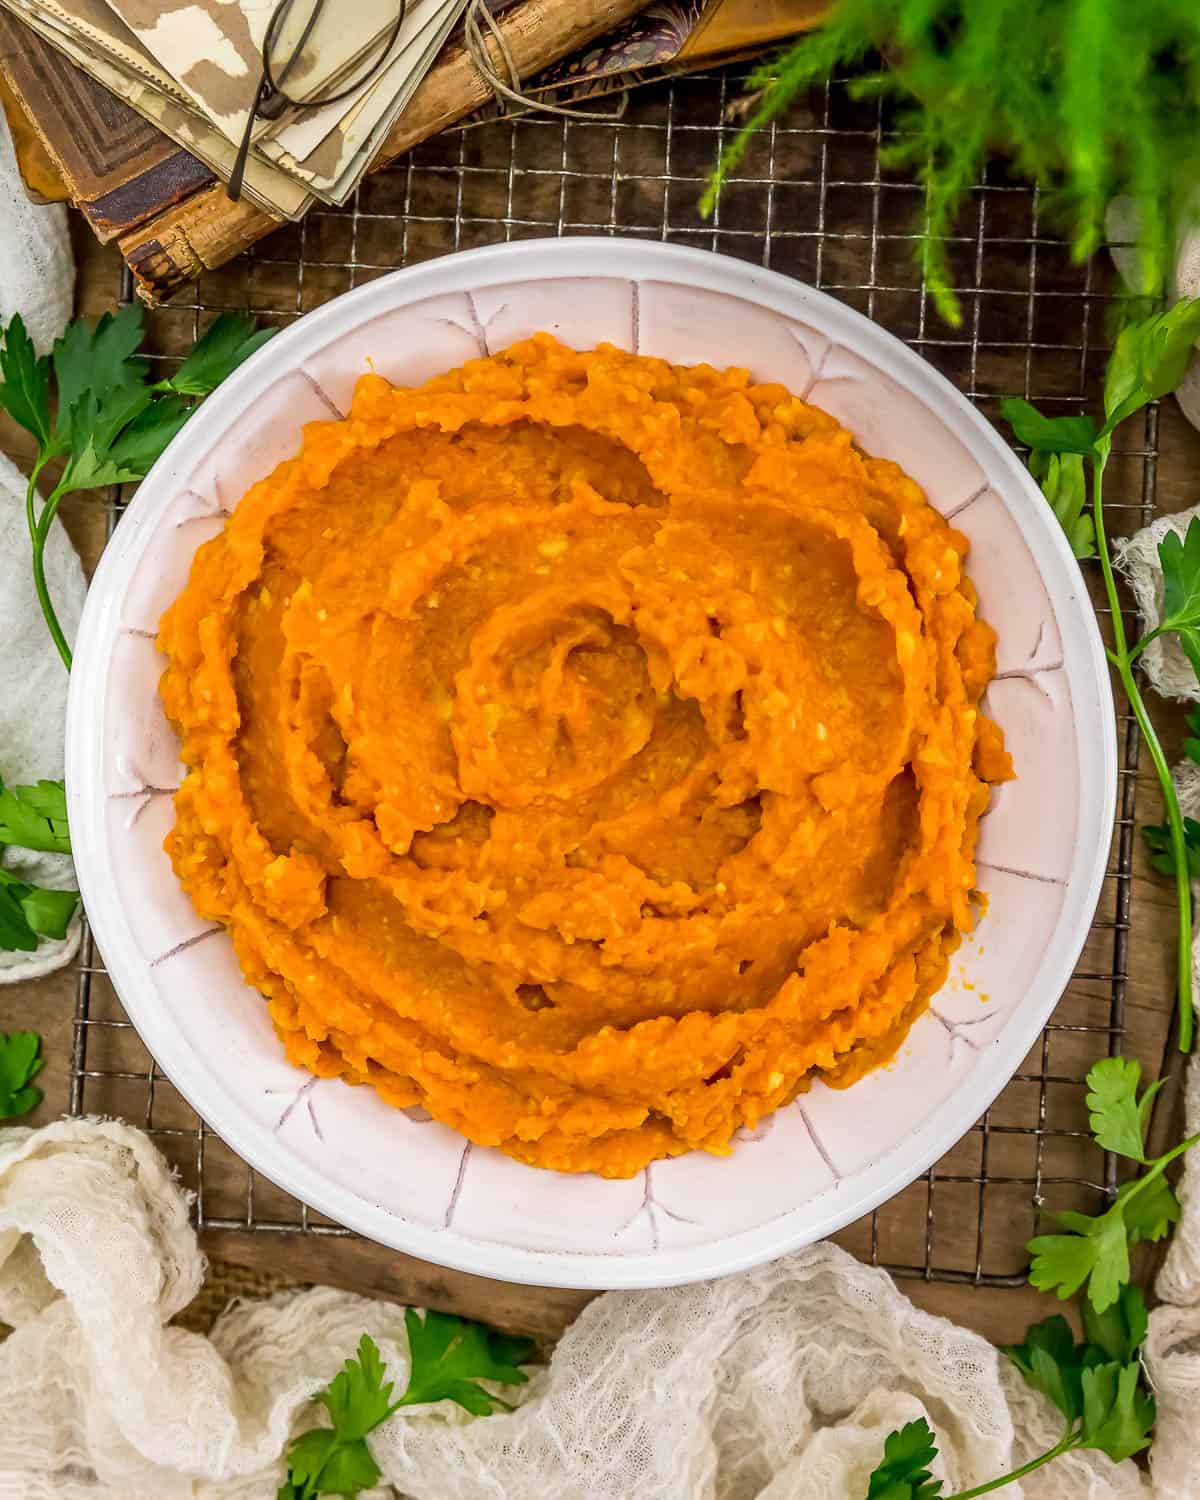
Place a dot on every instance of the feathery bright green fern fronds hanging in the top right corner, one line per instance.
(1088, 98)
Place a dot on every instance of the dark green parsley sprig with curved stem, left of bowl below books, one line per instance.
(109, 422)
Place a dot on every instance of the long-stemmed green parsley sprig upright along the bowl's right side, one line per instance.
(1148, 362)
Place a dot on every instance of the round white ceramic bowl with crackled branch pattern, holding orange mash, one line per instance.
(832, 1156)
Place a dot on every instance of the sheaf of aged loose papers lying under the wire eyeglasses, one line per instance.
(194, 71)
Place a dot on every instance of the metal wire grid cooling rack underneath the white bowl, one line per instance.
(811, 200)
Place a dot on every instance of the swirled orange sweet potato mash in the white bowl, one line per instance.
(584, 749)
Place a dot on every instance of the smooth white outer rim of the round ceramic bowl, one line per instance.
(587, 257)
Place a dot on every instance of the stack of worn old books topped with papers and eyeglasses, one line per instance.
(145, 107)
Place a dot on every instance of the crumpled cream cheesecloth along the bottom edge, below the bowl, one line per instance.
(778, 1384)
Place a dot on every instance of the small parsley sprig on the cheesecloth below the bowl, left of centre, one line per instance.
(449, 1357)
